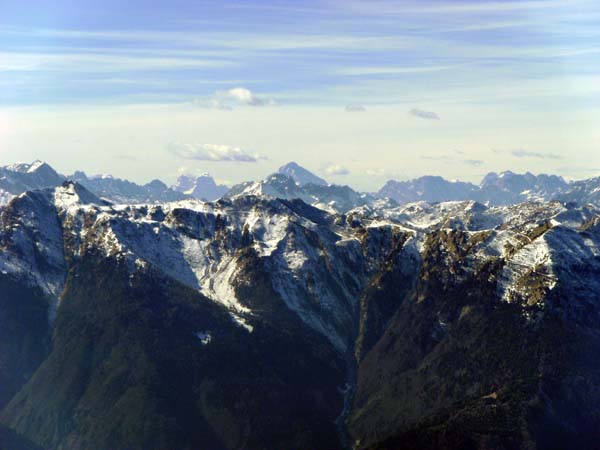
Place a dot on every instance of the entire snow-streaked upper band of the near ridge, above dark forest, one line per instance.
(317, 263)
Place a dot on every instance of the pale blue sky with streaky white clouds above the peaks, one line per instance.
(357, 91)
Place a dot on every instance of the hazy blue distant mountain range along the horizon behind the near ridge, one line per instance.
(293, 181)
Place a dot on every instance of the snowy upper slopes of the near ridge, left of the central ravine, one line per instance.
(196, 243)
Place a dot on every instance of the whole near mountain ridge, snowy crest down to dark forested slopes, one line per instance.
(254, 322)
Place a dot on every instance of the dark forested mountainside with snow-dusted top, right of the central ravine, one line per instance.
(488, 351)
